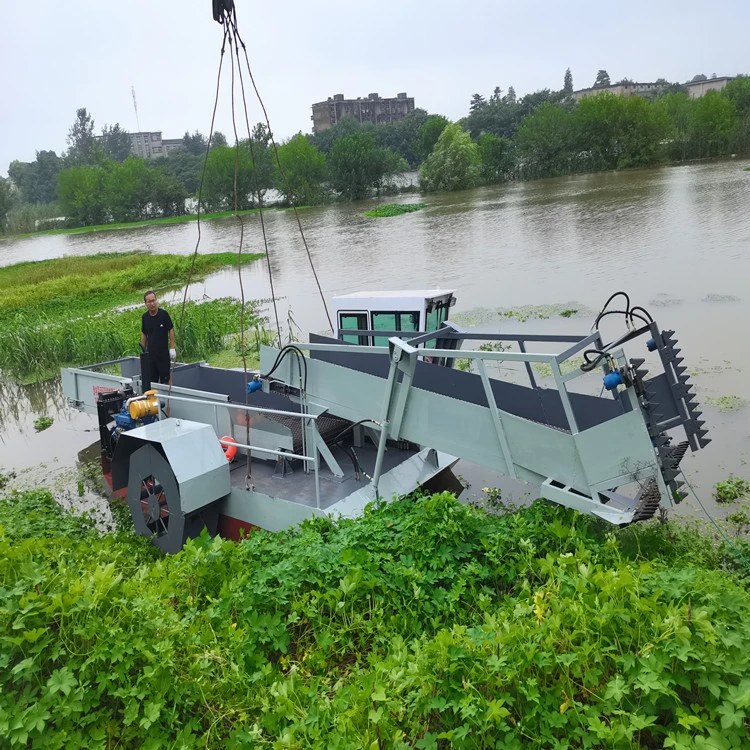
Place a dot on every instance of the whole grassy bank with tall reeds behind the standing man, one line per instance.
(62, 312)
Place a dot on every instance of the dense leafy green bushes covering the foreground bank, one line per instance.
(424, 624)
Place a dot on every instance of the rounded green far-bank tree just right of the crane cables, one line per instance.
(305, 170)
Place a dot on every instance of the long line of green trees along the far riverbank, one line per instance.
(503, 137)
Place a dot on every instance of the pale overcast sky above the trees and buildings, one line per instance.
(57, 56)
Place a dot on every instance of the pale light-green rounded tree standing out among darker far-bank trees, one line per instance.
(453, 163)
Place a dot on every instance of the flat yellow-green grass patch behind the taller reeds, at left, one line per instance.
(74, 286)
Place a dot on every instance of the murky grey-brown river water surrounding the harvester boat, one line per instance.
(677, 239)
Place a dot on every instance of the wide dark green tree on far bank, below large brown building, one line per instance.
(356, 165)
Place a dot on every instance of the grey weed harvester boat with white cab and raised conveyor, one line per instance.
(339, 422)
